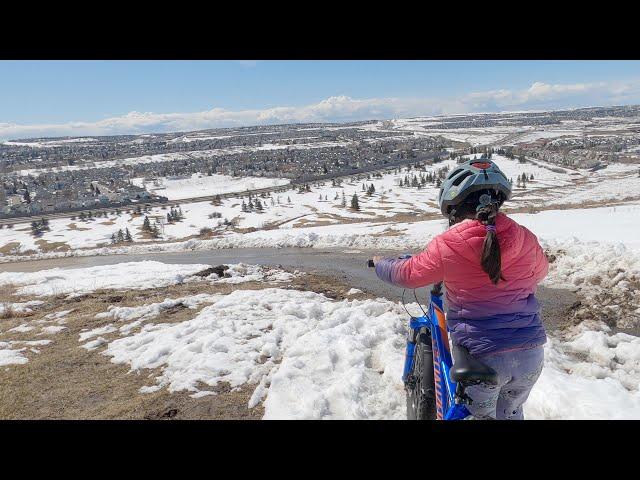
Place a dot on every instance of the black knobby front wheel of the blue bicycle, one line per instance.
(421, 395)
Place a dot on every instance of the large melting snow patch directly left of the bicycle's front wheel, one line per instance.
(333, 359)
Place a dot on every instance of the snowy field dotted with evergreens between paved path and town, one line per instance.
(296, 218)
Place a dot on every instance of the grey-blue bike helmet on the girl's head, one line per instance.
(469, 177)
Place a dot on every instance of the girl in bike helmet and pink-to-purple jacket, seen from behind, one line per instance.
(491, 267)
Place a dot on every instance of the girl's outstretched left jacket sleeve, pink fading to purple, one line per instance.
(418, 271)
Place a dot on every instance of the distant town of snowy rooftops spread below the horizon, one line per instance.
(47, 175)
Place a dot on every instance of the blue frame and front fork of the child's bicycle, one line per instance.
(446, 406)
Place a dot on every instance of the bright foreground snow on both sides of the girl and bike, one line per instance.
(309, 357)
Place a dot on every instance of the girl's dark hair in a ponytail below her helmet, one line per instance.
(490, 259)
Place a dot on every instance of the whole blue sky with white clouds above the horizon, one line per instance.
(76, 98)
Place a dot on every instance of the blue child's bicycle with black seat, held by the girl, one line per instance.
(436, 374)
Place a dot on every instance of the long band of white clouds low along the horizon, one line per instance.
(342, 108)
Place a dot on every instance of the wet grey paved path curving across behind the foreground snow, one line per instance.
(348, 265)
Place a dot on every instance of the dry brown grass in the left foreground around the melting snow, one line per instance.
(65, 381)
